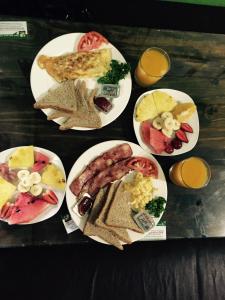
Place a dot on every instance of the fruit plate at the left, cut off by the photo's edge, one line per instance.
(32, 185)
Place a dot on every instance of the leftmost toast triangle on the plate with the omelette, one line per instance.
(62, 97)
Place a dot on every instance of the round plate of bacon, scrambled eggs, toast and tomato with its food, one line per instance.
(116, 192)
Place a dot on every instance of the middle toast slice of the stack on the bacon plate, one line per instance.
(100, 221)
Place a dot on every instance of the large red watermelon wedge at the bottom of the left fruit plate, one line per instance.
(26, 208)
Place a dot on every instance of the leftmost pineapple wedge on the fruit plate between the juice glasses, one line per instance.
(146, 109)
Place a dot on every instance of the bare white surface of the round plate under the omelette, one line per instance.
(41, 81)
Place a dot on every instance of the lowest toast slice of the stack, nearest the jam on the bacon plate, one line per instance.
(91, 229)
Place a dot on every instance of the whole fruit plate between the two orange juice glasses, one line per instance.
(166, 122)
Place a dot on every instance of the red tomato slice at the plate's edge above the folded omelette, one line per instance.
(91, 40)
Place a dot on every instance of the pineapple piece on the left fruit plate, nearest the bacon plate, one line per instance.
(53, 177)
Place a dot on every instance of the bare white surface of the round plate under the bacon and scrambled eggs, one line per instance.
(160, 183)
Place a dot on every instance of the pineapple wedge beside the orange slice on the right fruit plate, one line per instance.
(163, 102)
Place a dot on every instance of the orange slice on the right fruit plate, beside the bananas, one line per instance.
(183, 111)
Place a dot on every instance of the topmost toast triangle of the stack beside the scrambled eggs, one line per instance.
(120, 213)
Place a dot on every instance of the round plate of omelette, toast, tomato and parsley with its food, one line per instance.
(80, 81)
